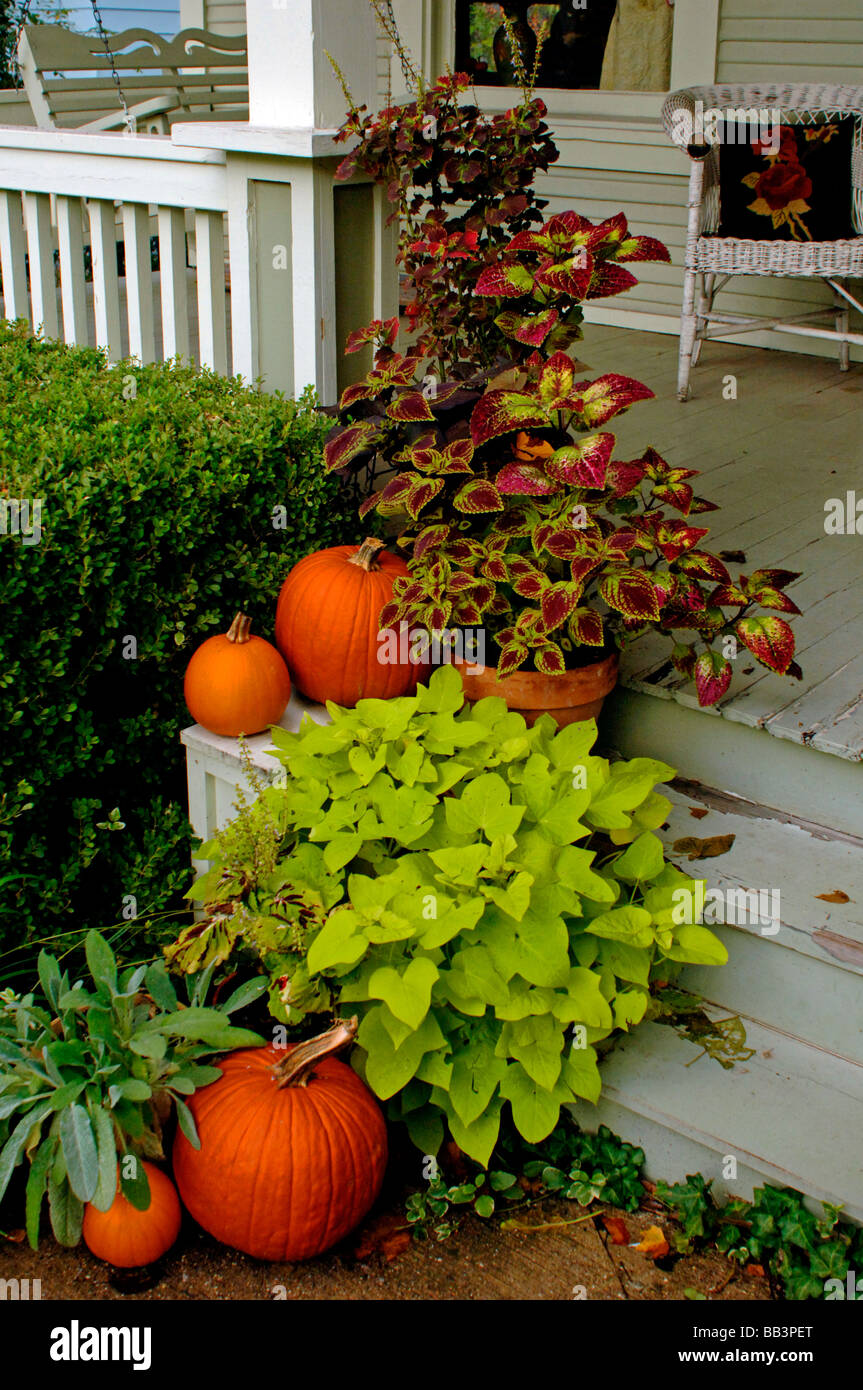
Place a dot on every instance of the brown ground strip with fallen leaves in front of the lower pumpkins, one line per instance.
(480, 1261)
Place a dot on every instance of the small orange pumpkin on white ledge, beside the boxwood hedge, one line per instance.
(237, 683)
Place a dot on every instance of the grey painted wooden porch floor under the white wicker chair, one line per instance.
(771, 459)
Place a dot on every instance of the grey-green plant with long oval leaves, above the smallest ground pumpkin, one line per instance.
(92, 1071)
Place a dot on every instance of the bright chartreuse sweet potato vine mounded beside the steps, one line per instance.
(490, 899)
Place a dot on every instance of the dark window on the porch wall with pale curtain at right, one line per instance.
(618, 45)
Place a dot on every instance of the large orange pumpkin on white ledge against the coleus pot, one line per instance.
(327, 625)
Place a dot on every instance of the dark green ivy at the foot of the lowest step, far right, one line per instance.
(798, 1250)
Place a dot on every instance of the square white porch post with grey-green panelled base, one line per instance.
(286, 237)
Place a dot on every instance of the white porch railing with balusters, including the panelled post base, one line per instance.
(249, 227)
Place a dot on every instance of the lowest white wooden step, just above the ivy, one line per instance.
(791, 1115)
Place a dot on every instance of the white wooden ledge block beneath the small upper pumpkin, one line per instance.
(215, 769)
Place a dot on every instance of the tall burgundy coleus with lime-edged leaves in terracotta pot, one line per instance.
(516, 516)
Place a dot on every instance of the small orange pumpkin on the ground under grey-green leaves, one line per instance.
(127, 1238)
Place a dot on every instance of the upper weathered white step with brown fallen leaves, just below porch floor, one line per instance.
(805, 979)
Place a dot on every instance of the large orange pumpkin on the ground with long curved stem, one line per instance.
(293, 1150)
